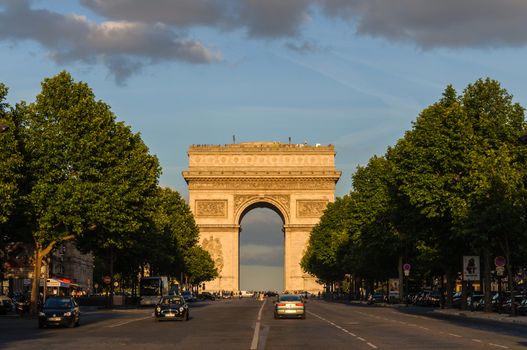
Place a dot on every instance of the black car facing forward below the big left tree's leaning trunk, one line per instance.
(59, 311)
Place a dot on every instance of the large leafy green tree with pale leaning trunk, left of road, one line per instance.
(88, 174)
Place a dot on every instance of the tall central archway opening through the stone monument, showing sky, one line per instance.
(261, 249)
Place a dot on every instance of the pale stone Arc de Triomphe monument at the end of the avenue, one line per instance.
(297, 181)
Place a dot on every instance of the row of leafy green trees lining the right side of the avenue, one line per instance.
(454, 185)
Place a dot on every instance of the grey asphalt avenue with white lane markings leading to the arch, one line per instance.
(249, 324)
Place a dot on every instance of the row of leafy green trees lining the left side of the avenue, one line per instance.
(70, 171)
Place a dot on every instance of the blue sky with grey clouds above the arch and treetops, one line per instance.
(352, 73)
